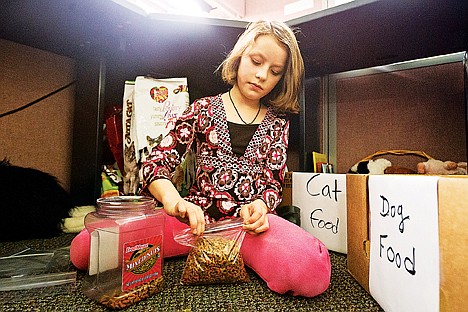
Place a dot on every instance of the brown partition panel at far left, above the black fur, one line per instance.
(41, 135)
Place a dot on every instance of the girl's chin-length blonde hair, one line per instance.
(285, 96)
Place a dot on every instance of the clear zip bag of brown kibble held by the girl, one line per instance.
(215, 255)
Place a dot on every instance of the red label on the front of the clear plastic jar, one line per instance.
(142, 262)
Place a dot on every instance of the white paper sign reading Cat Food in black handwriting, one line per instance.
(322, 201)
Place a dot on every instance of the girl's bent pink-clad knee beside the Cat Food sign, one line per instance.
(288, 259)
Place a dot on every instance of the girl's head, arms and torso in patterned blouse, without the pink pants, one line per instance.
(239, 137)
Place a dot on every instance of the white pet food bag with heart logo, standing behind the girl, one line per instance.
(150, 109)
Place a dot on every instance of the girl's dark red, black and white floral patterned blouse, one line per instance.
(223, 181)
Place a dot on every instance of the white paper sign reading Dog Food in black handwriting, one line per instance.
(404, 254)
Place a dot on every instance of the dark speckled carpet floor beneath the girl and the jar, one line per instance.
(344, 293)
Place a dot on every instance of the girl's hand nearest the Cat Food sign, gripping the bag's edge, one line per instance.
(255, 217)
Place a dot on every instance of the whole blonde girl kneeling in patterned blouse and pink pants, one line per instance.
(239, 139)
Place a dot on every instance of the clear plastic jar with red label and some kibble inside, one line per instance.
(125, 262)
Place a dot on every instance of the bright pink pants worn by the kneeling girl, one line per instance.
(286, 257)
